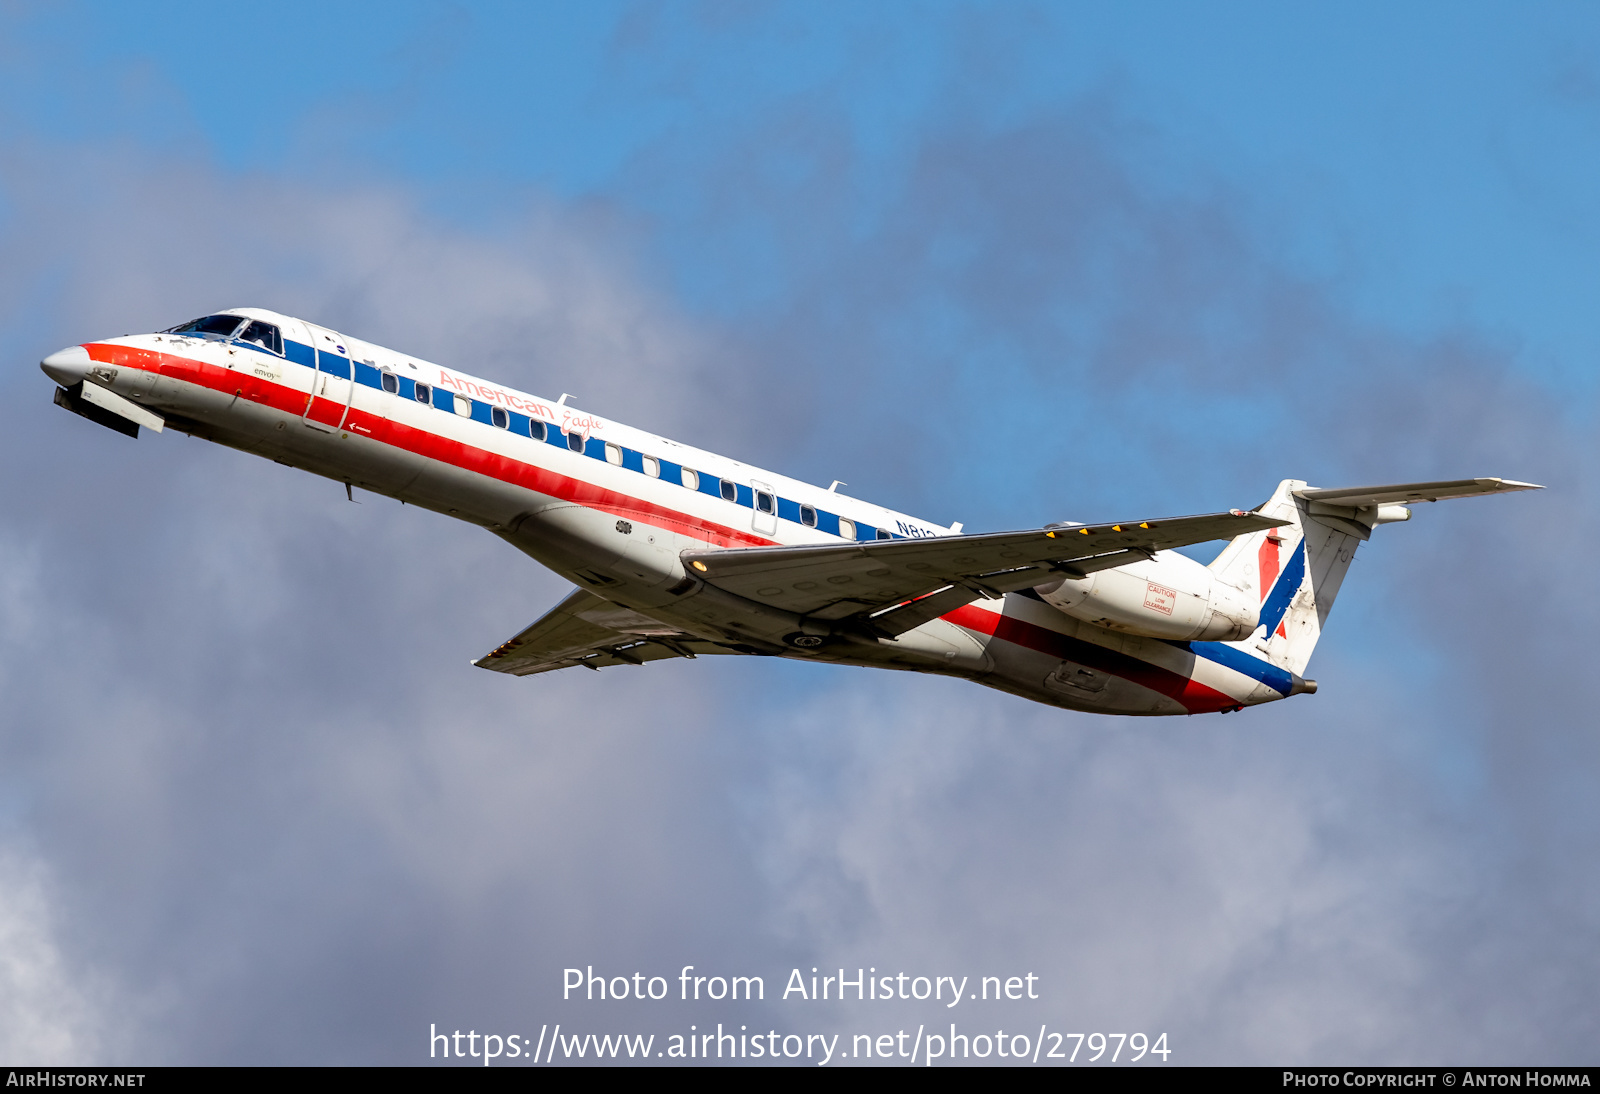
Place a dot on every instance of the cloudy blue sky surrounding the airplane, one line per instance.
(986, 263)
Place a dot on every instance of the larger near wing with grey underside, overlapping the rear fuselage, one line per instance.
(898, 585)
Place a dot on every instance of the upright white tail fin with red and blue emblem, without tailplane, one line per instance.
(1295, 572)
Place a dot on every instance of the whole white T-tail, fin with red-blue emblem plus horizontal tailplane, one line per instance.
(1297, 570)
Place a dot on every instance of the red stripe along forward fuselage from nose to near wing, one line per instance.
(423, 444)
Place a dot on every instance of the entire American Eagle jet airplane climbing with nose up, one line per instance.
(681, 553)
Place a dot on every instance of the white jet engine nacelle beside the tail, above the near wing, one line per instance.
(1166, 597)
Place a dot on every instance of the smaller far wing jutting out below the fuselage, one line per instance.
(593, 633)
